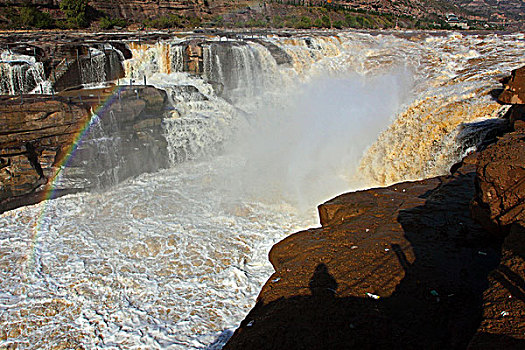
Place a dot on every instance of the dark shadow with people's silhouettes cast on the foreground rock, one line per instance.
(436, 305)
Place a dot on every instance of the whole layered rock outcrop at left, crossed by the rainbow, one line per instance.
(39, 134)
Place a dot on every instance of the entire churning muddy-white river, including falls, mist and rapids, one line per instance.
(175, 259)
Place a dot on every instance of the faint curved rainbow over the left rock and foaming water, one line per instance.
(50, 191)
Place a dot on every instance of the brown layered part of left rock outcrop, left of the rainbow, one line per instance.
(35, 135)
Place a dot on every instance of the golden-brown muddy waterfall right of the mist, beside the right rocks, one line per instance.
(422, 141)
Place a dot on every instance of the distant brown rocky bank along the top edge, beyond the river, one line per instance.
(270, 13)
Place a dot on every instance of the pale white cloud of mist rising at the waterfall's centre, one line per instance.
(306, 148)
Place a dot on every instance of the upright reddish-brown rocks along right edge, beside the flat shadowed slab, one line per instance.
(499, 205)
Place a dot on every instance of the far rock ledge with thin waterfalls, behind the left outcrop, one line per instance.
(69, 61)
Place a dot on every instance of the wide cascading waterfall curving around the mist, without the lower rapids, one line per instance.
(422, 139)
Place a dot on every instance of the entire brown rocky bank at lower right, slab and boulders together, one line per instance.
(406, 266)
